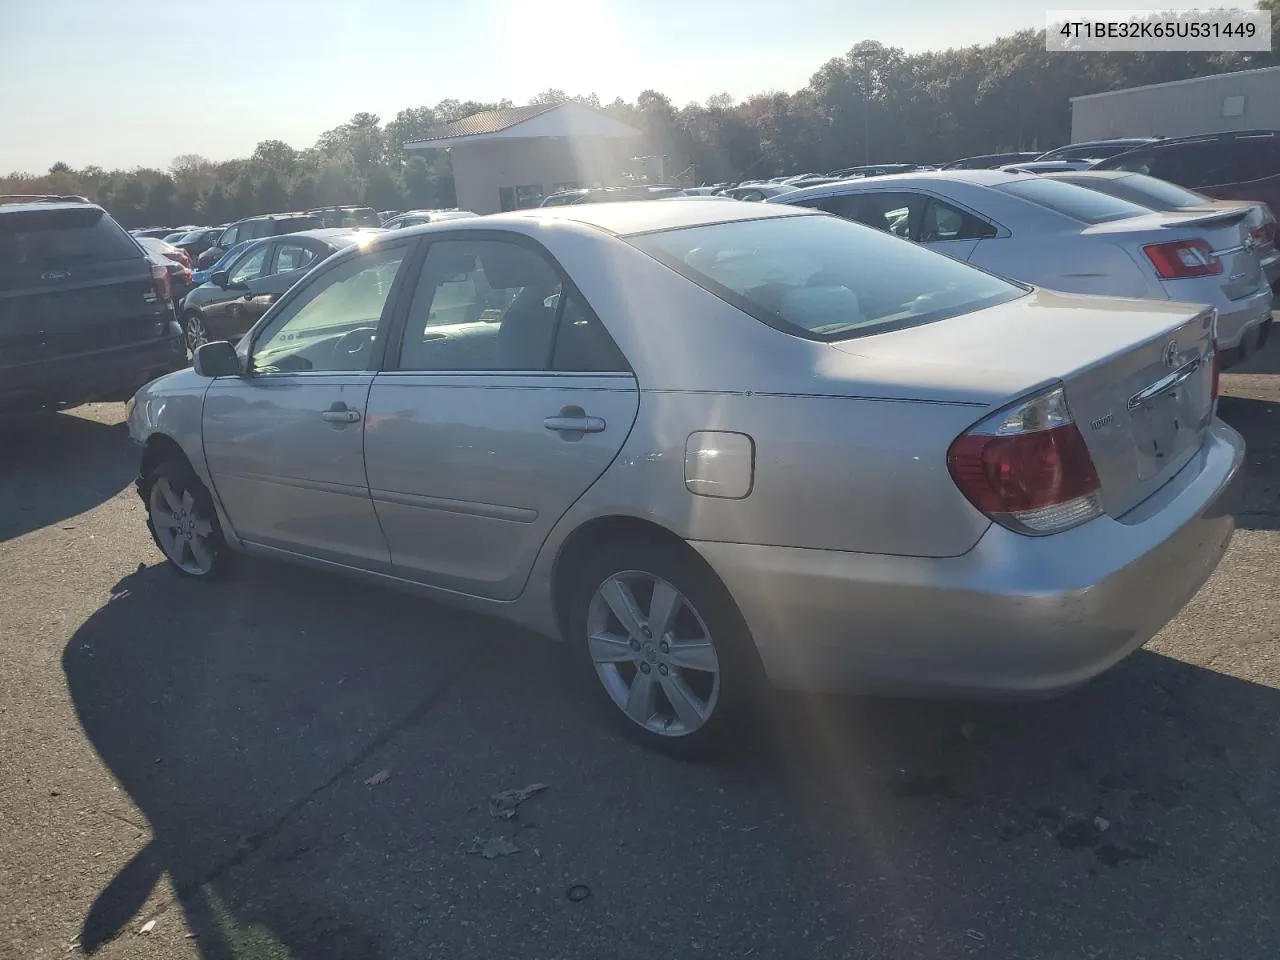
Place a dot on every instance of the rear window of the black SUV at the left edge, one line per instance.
(54, 239)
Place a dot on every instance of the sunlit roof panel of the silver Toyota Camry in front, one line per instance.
(623, 220)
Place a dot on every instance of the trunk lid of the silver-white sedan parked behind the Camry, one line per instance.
(1228, 232)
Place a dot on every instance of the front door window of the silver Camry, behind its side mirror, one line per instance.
(333, 324)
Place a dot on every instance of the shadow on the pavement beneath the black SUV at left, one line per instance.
(56, 467)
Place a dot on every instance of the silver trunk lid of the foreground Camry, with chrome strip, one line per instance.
(1139, 374)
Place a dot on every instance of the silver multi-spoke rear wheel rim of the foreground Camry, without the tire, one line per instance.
(653, 653)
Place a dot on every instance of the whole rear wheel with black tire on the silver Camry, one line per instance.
(666, 650)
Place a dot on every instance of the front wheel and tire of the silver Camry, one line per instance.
(182, 520)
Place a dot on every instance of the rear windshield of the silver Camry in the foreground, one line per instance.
(825, 278)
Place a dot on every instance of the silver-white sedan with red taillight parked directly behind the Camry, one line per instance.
(1069, 239)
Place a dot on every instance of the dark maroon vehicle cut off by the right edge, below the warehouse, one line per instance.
(1244, 166)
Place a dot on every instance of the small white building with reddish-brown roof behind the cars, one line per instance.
(511, 159)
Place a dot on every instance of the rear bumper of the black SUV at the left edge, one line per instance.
(102, 374)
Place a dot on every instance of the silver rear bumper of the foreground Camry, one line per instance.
(1016, 618)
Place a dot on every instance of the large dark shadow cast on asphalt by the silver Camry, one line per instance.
(314, 760)
